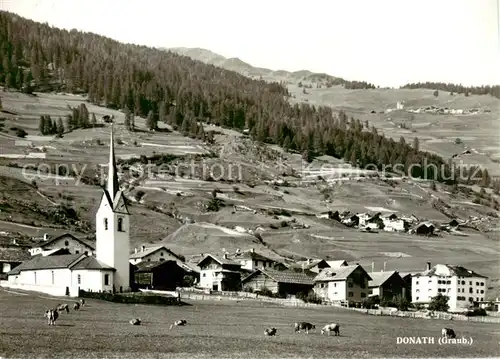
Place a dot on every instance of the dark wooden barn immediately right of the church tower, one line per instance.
(163, 275)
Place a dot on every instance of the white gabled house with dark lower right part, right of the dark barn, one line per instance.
(219, 274)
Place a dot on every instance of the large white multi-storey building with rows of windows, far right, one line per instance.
(462, 286)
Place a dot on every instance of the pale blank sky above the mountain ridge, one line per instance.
(385, 42)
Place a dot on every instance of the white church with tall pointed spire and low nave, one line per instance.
(108, 271)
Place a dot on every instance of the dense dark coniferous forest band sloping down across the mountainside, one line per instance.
(163, 86)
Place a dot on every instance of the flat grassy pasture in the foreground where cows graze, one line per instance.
(220, 329)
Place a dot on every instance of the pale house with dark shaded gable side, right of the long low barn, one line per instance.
(342, 284)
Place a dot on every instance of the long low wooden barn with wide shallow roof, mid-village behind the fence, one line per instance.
(286, 282)
